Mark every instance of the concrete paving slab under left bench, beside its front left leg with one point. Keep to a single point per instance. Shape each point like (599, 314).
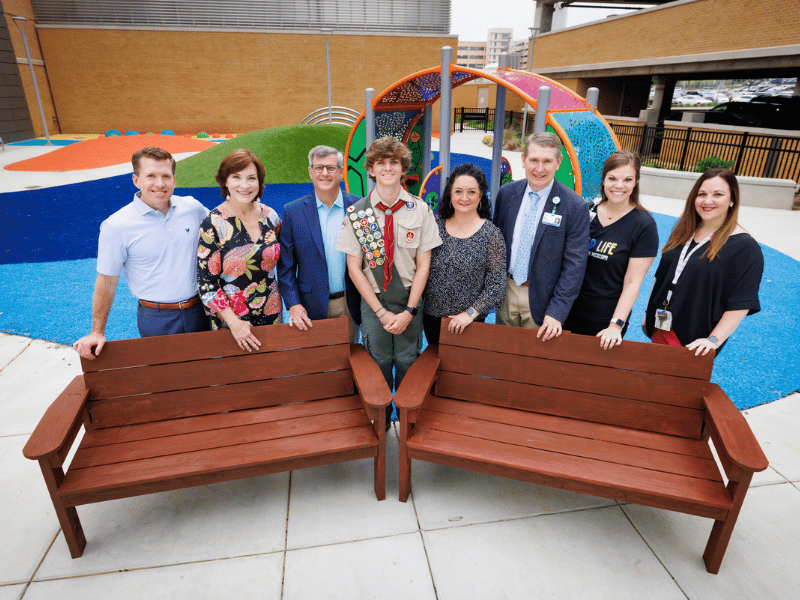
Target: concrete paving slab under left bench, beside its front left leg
(203, 523)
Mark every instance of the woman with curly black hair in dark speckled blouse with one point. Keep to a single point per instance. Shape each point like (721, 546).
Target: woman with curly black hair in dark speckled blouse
(468, 271)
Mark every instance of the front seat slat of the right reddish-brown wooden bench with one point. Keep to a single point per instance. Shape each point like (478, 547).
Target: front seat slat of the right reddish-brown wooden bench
(585, 475)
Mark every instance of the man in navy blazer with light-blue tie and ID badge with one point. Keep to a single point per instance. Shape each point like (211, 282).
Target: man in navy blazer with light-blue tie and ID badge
(546, 229)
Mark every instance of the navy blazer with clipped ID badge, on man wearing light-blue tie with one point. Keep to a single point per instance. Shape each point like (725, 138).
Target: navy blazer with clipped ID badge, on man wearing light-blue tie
(559, 254)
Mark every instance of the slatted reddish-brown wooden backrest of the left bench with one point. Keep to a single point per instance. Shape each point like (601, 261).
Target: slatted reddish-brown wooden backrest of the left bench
(168, 377)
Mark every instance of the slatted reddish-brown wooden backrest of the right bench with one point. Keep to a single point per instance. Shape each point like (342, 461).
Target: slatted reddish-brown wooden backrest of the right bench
(636, 385)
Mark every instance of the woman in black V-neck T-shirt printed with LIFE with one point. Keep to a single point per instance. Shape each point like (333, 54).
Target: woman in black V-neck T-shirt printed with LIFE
(623, 244)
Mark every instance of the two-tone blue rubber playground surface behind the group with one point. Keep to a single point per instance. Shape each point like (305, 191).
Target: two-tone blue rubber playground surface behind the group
(48, 263)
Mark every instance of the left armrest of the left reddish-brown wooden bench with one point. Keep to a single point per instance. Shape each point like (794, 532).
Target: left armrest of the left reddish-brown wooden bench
(60, 424)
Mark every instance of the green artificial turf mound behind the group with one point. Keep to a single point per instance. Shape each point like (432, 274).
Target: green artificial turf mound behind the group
(283, 150)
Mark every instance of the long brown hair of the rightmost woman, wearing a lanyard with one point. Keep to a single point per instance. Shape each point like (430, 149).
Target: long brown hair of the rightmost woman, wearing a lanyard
(686, 226)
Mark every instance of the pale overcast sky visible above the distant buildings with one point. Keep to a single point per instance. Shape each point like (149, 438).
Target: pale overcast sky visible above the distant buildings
(471, 19)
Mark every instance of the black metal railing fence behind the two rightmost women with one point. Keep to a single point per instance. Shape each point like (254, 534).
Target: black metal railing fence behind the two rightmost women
(681, 148)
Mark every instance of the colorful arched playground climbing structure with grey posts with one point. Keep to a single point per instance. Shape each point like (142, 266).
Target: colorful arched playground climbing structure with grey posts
(404, 111)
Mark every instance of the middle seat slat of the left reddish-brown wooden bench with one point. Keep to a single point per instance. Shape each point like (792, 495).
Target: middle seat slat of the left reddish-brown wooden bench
(217, 438)
